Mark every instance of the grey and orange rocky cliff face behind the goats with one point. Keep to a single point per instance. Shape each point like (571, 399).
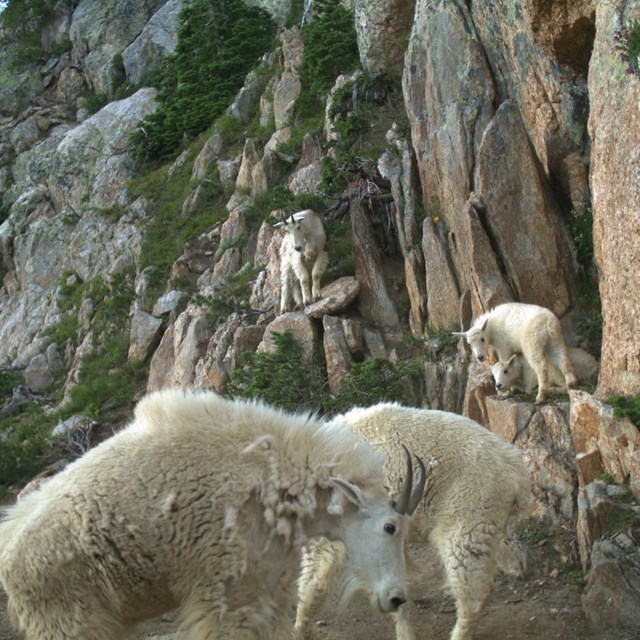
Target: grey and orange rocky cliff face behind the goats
(514, 119)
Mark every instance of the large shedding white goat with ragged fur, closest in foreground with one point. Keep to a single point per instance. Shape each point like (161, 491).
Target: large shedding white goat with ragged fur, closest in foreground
(201, 503)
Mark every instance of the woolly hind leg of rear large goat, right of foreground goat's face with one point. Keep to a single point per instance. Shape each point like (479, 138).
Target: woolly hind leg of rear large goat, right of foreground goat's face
(470, 567)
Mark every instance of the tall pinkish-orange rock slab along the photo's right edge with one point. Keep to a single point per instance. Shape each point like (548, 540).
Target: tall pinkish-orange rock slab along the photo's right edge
(615, 197)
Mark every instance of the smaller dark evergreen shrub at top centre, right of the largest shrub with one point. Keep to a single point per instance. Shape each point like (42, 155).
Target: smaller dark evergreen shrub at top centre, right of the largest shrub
(330, 45)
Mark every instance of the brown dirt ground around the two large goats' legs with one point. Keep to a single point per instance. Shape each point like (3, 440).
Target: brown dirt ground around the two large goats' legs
(544, 607)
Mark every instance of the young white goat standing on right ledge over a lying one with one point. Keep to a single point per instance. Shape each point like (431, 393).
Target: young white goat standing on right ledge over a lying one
(533, 331)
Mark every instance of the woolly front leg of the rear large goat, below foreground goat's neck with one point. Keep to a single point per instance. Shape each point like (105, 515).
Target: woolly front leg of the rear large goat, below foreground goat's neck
(321, 567)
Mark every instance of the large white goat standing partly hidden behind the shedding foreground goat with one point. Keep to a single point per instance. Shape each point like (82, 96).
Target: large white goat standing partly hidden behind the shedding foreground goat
(476, 485)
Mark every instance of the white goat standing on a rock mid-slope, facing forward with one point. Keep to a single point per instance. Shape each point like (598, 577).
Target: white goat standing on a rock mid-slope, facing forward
(303, 259)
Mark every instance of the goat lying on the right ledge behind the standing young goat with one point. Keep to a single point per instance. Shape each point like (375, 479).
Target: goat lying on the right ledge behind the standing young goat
(516, 373)
